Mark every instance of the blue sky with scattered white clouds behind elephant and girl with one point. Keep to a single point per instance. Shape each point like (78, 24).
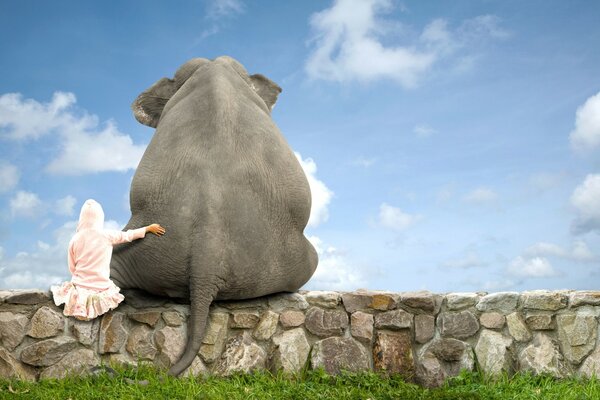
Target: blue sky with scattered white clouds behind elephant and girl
(450, 146)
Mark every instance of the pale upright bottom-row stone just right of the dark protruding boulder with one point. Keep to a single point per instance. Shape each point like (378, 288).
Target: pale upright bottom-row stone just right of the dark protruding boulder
(494, 352)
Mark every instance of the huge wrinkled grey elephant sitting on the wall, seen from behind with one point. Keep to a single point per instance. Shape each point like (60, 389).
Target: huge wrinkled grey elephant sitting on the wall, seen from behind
(222, 180)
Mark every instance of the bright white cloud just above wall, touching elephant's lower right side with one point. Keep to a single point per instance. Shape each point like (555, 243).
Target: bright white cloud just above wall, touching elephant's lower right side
(334, 271)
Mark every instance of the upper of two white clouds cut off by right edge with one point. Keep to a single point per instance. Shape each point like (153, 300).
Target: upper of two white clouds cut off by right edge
(586, 135)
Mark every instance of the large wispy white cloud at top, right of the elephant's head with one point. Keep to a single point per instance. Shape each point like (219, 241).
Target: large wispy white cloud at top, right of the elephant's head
(349, 41)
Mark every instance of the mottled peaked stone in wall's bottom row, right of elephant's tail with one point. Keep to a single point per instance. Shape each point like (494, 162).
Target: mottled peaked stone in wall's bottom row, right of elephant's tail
(241, 354)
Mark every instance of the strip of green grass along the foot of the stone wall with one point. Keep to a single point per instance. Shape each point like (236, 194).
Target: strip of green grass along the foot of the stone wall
(307, 385)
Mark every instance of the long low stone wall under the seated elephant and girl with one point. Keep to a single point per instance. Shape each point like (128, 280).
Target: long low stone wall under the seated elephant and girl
(424, 336)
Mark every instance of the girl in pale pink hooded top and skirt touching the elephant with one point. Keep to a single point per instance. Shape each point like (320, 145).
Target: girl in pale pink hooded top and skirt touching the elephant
(90, 292)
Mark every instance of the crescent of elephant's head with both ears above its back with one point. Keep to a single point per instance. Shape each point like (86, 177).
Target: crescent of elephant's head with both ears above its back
(149, 105)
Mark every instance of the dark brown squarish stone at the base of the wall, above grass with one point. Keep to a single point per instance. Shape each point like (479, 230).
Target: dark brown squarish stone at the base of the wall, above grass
(392, 353)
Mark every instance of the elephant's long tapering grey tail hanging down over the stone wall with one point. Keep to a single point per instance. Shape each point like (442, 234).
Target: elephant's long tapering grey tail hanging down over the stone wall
(203, 290)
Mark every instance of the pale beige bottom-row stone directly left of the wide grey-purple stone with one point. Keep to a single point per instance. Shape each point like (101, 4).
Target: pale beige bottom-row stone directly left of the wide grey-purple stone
(292, 350)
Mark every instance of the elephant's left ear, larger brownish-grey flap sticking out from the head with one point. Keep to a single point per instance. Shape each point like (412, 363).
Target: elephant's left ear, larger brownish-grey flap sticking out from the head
(148, 106)
